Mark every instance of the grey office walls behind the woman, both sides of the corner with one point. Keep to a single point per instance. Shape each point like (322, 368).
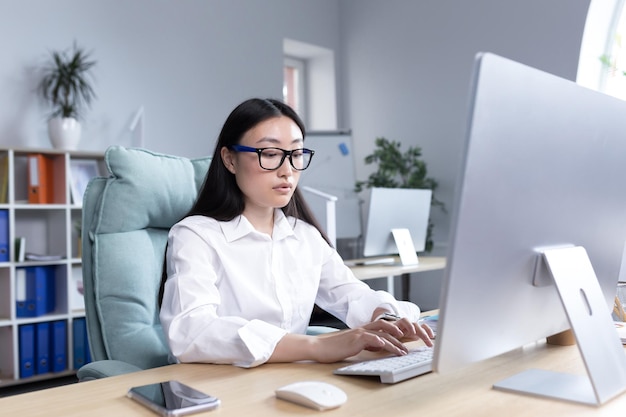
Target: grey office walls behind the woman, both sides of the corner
(402, 70)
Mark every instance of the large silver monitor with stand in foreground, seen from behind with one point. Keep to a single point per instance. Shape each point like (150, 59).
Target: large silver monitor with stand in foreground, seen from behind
(544, 177)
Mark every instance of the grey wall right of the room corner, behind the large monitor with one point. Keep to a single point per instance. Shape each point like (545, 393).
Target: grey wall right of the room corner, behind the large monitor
(406, 69)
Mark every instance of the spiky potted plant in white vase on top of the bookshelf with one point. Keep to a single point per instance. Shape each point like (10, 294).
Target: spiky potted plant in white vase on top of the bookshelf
(66, 86)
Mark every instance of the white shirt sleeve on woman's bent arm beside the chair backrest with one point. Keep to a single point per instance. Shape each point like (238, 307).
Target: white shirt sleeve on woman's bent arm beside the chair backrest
(191, 299)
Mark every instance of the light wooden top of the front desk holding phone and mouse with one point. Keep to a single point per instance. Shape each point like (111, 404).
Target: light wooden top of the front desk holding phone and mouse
(250, 392)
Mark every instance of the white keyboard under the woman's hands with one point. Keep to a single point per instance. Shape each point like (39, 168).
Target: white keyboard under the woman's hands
(394, 368)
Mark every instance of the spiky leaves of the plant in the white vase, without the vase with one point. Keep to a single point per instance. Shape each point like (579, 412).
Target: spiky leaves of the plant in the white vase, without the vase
(66, 82)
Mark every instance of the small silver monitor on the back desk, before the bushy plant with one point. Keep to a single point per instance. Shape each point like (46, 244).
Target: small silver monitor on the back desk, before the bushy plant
(393, 209)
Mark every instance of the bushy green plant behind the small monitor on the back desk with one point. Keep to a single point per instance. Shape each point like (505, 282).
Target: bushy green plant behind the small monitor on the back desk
(397, 169)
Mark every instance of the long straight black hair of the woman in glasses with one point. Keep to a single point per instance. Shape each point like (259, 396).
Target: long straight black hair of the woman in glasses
(220, 196)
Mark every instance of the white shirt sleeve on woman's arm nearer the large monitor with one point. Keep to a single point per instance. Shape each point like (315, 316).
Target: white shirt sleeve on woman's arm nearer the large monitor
(352, 300)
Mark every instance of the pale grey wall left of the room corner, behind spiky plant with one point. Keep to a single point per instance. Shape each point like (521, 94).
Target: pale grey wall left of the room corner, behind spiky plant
(188, 62)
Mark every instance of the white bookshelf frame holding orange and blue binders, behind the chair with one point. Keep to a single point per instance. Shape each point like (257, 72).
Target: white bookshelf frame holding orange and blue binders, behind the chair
(47, 229)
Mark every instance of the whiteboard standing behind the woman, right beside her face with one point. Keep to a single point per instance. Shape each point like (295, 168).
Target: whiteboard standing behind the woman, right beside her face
(332, 171)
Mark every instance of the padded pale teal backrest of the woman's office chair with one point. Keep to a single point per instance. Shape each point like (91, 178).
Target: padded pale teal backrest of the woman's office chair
(126, 219)
